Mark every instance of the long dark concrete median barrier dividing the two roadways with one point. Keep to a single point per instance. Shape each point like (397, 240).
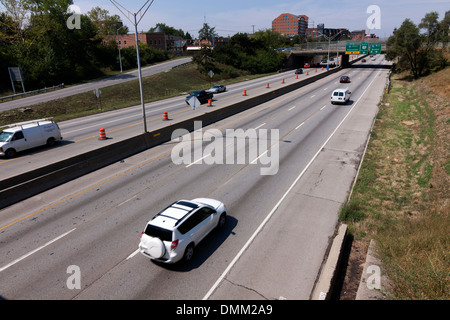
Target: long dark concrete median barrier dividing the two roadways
(28, 184)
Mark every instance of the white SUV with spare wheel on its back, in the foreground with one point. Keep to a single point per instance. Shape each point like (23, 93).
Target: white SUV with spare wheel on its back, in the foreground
(174, 232)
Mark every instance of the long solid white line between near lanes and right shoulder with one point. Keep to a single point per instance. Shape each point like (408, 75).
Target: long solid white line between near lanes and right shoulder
(247, 244)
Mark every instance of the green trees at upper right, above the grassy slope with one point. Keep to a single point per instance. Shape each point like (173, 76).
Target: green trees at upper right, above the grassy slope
(420, 48)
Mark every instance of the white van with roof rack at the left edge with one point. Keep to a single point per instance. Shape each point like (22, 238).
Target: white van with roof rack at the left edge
(26, 135)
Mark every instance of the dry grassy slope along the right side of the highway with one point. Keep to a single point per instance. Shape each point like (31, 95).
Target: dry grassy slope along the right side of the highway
(401, 197)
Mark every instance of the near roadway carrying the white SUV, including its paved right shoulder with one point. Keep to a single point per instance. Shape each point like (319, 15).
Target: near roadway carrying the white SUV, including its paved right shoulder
(278, 228)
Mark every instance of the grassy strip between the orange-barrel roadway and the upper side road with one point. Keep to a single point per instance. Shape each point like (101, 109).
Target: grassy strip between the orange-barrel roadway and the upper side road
(178, 81)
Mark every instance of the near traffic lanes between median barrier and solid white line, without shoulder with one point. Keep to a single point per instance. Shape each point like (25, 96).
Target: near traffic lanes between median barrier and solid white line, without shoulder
(94, 222)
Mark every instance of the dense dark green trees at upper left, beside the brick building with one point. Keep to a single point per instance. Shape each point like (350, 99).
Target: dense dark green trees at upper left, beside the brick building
(34, 35)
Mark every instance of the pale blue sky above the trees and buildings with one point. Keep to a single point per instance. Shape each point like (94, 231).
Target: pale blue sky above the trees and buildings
(232, 16)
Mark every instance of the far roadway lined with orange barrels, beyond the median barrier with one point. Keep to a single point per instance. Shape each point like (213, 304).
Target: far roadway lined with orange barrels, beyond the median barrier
(81, 135)
